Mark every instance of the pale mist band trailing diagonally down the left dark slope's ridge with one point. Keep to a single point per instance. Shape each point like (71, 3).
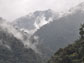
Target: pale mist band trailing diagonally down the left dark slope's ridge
(7, 27)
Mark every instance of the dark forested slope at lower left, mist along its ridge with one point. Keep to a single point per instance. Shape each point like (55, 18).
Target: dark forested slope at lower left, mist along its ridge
(13, 50)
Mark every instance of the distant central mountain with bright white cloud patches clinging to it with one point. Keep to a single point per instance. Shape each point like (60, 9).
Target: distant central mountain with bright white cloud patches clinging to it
(34, 21)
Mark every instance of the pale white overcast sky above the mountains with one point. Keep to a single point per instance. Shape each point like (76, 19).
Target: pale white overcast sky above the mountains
(12, 9)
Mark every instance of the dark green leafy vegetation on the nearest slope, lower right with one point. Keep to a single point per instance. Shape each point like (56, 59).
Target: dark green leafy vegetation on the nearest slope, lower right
(73, 53)
